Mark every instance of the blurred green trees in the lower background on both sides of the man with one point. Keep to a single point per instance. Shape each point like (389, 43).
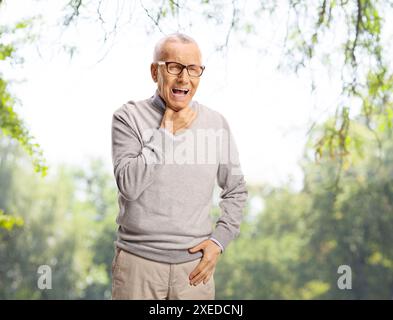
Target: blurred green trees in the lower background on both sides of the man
(290, 248)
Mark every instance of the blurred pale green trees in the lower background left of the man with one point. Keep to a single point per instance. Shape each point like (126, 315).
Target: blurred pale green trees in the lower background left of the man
(69, 224)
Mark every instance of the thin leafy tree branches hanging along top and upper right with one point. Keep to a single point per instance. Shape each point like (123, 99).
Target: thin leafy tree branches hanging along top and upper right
(350, 36)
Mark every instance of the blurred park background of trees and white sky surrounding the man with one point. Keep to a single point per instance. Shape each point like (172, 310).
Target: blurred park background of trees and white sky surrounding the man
(306, 87)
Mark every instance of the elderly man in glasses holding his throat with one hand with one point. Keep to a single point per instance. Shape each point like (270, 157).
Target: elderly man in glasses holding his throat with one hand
(167, 247)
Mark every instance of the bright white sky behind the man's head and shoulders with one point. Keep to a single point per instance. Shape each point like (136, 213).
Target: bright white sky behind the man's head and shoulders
(68, 104)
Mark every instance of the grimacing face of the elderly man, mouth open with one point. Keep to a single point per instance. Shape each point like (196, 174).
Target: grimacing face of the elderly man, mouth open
(186, 54)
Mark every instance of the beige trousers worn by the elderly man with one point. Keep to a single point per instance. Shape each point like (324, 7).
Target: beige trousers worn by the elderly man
(134, 277)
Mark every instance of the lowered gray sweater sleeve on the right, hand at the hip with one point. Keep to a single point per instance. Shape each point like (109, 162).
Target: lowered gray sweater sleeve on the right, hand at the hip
(234, 192)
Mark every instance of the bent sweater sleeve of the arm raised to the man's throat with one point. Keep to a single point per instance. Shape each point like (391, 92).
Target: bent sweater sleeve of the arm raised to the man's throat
(135, 162)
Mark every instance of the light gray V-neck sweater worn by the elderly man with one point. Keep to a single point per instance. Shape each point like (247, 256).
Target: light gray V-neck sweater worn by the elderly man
(165, 182)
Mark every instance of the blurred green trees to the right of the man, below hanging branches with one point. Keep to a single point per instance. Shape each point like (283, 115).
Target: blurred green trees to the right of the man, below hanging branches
(292, 249)
